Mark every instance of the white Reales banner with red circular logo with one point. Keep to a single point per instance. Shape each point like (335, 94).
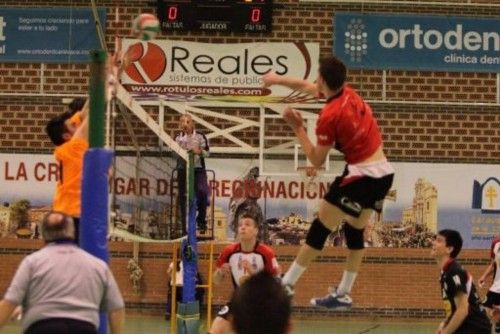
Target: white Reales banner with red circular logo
(225, 72)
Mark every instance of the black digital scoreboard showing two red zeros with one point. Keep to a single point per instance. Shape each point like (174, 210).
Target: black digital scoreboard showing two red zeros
(250, 16)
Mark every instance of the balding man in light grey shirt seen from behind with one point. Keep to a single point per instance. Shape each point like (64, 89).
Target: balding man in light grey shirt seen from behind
(62, 288)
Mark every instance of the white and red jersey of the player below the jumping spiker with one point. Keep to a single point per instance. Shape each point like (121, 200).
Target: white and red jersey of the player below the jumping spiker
(261, 258)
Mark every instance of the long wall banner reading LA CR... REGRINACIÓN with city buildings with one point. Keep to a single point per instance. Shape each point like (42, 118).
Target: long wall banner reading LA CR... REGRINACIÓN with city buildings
(425, 198)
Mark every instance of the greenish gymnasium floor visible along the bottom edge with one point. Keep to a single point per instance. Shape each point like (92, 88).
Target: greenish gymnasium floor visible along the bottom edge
(158, 325)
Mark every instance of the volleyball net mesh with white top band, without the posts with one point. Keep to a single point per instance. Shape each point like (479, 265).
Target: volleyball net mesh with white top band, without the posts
(146, 193)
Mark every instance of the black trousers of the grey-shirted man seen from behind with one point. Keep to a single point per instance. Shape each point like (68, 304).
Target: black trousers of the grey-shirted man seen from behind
(61, 326)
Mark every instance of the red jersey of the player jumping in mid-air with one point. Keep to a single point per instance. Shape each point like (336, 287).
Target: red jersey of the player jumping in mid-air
(347, 120)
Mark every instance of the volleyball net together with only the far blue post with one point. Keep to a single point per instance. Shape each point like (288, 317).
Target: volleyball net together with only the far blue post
(150, 170)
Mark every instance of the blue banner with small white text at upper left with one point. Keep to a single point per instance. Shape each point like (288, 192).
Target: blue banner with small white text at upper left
(48, 35)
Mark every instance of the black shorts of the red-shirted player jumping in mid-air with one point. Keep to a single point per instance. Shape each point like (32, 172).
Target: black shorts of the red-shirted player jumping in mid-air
(362, 193)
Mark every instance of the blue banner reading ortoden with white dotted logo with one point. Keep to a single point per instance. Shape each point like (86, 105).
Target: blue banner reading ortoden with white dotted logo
(410, 42)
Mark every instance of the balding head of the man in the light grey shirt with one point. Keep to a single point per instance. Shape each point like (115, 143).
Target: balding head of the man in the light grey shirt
(57, 226)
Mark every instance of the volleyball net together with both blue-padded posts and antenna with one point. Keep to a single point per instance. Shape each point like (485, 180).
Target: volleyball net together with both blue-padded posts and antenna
(144, 197)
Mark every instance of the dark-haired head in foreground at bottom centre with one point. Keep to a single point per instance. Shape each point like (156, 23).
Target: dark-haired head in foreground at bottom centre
(261, 305)
